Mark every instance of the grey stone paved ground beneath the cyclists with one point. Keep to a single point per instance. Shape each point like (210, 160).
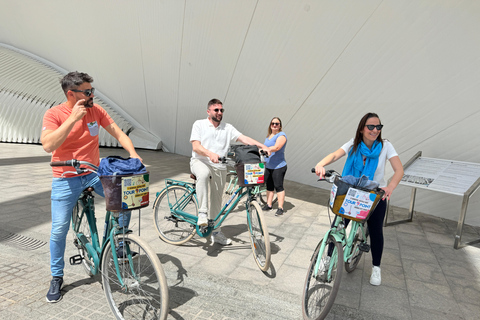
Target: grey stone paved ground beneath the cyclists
(423, 277)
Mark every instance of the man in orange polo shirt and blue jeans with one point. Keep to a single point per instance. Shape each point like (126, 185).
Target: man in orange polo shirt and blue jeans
(70, 131)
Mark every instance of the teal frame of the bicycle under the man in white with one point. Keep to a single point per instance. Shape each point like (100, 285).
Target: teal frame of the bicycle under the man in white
(177, 207)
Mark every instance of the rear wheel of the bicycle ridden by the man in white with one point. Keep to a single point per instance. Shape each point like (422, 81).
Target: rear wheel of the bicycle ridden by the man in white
(170, 228)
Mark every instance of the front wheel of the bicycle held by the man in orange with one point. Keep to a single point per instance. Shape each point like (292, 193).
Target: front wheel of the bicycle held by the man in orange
(144, 294)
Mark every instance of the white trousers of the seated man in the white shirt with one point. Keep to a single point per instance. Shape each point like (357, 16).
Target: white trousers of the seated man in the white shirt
(217, 178)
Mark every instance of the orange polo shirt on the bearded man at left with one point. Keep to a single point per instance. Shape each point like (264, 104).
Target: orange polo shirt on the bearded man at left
(82, 141)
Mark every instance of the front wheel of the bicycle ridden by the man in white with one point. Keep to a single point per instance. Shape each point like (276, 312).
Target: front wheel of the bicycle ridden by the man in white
(259, 238)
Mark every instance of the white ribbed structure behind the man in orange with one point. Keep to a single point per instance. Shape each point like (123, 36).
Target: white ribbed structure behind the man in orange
(28, 87)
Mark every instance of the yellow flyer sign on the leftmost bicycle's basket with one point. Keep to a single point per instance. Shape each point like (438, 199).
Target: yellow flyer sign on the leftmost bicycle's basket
(135, 191)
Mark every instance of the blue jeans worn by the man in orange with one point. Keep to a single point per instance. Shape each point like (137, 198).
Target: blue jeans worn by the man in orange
(65, 193)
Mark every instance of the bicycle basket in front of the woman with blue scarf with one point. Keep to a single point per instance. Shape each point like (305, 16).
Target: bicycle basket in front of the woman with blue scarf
(354, 203)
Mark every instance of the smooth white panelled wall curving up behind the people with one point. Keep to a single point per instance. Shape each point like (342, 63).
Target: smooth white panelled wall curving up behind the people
(318, 65)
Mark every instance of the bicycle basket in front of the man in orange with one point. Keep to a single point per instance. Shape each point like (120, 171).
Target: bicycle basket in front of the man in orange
(126, 192)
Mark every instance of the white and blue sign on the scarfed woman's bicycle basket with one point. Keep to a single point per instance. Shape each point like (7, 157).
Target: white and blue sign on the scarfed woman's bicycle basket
(357, 203)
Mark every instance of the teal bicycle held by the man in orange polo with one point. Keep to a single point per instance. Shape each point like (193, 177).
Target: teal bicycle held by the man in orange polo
(134, 284)
